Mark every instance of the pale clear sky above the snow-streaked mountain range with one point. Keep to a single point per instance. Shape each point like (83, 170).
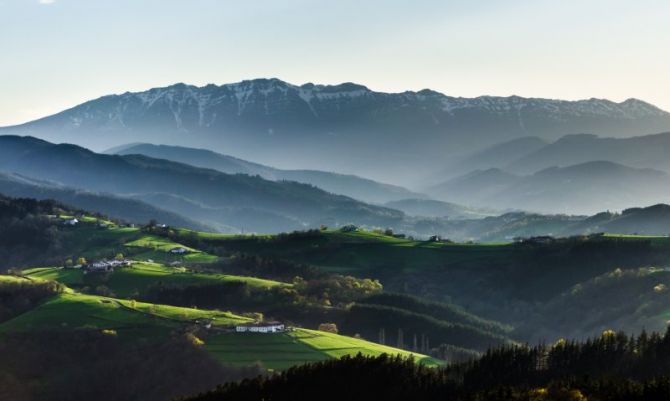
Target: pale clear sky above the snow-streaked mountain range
(55, 54)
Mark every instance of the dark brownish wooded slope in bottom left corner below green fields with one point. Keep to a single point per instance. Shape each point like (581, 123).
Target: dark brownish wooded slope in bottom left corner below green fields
(93, 365)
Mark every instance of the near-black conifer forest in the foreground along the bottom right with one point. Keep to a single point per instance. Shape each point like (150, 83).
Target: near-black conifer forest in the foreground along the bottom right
(612, 367)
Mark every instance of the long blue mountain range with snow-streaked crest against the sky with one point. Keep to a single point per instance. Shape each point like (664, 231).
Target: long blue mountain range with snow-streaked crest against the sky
(392, 137)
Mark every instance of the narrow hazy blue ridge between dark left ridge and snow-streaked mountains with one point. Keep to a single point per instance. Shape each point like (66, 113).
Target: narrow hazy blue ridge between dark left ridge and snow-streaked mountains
(349, 185)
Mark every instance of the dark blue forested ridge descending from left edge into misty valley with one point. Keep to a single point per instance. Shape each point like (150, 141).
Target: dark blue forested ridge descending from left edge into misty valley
(240, 201)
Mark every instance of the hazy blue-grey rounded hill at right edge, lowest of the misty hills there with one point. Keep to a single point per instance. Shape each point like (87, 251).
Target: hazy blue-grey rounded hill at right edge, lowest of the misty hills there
(585, 188)
